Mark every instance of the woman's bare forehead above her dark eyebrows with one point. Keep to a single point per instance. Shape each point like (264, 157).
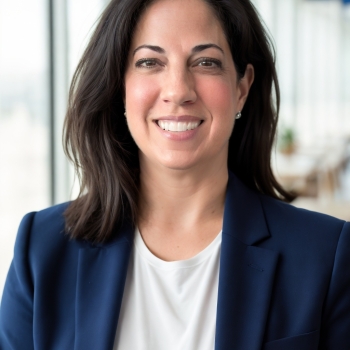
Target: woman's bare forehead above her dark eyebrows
(178, 22)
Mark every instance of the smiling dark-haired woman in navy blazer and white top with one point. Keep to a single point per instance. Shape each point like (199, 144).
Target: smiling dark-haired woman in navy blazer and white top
(179, 239)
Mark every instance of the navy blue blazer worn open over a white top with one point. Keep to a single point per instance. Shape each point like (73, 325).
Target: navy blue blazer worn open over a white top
(284, 281)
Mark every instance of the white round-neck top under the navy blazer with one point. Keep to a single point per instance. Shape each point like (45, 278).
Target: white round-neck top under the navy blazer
(169, 305)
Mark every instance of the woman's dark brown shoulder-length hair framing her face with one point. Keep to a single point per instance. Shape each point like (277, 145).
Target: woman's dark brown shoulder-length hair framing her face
(98, 142)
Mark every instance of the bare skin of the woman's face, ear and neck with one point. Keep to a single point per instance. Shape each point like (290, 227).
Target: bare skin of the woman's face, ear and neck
(180, 67)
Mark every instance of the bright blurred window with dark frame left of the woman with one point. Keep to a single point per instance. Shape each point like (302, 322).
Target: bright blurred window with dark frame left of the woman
(34, 172)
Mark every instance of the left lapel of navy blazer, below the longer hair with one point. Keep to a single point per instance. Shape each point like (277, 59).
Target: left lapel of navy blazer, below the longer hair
(100, 284)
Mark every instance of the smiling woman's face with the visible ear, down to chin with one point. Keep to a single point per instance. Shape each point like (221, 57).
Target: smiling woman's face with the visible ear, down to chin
(181, 87)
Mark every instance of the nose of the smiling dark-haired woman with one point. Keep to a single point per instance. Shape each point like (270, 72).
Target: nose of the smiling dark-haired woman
(178, 87)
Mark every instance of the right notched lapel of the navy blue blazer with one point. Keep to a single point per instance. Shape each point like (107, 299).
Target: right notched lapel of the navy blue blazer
(246, 272)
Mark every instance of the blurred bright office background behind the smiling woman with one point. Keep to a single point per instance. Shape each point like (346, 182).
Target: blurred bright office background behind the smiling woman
(40, 45)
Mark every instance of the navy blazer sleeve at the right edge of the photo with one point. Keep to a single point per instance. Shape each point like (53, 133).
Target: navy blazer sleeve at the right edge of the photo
(335, 329)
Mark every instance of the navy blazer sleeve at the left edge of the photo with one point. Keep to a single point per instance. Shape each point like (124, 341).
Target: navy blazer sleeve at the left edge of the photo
(16, 309)
